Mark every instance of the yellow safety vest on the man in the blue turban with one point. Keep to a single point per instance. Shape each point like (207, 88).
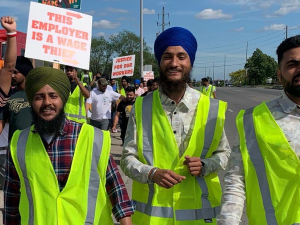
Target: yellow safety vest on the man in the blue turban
(197, 199)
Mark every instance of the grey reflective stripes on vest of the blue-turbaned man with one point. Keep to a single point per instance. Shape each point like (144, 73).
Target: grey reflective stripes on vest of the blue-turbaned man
(166, 212)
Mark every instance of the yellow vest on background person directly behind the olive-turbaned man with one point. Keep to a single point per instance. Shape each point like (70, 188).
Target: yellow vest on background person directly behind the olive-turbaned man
(75, 106)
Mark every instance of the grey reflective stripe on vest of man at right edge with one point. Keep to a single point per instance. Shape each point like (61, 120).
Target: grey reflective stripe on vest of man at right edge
(259, 165)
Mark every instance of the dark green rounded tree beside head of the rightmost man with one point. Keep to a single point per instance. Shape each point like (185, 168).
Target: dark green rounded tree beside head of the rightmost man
(260, 66)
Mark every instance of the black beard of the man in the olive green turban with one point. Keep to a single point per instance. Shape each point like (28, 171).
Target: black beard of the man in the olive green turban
(44, 127)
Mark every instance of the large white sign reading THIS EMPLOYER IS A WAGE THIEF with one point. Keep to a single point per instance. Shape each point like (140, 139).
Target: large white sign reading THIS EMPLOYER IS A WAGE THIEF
(58, 35)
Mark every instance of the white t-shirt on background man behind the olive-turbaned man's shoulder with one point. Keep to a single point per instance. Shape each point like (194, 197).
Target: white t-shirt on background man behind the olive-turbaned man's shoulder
(101, 103)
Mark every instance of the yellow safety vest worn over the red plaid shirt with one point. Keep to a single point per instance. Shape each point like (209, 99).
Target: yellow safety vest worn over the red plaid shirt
(83, 200)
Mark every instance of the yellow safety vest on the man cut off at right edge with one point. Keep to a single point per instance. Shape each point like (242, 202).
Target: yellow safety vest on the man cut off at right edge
(271, 169)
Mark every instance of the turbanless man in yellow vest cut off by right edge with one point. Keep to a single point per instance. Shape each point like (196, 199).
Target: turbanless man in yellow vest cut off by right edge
(264, 165)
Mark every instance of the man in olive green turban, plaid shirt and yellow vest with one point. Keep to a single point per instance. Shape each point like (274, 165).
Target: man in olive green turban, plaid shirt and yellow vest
(67, 170)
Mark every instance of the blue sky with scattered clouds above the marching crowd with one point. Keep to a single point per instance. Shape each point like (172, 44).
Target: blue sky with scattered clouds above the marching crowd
(221, 27)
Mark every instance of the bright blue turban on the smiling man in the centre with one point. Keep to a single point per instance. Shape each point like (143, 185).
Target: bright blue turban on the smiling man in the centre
(175, 36)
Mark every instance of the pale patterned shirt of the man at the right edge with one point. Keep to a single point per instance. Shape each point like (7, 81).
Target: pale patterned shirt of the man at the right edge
(287, 115)
